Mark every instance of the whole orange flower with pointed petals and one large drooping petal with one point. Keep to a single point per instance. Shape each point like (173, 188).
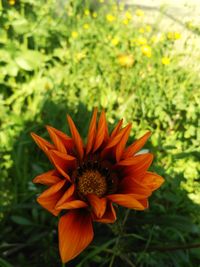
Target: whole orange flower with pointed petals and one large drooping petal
(87, 179)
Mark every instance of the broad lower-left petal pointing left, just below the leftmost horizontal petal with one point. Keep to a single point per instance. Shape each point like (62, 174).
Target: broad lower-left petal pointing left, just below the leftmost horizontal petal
(49, 198)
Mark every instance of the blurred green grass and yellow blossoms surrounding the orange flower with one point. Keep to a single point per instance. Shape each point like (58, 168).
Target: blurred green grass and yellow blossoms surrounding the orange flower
(139, 60)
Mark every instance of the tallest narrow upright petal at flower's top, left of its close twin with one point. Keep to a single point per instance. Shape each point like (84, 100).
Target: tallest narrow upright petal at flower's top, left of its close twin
(91, 132)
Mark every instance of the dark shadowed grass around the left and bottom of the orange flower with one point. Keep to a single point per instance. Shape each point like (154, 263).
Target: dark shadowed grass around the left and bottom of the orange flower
(30, 233)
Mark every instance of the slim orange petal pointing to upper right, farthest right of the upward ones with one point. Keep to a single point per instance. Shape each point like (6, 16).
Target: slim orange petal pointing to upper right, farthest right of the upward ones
(136, 146)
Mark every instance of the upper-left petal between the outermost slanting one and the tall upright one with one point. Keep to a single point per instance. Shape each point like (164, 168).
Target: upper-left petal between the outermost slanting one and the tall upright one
(65, 139)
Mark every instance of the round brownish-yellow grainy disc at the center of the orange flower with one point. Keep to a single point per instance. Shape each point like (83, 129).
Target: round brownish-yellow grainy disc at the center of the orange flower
(92, 182)
